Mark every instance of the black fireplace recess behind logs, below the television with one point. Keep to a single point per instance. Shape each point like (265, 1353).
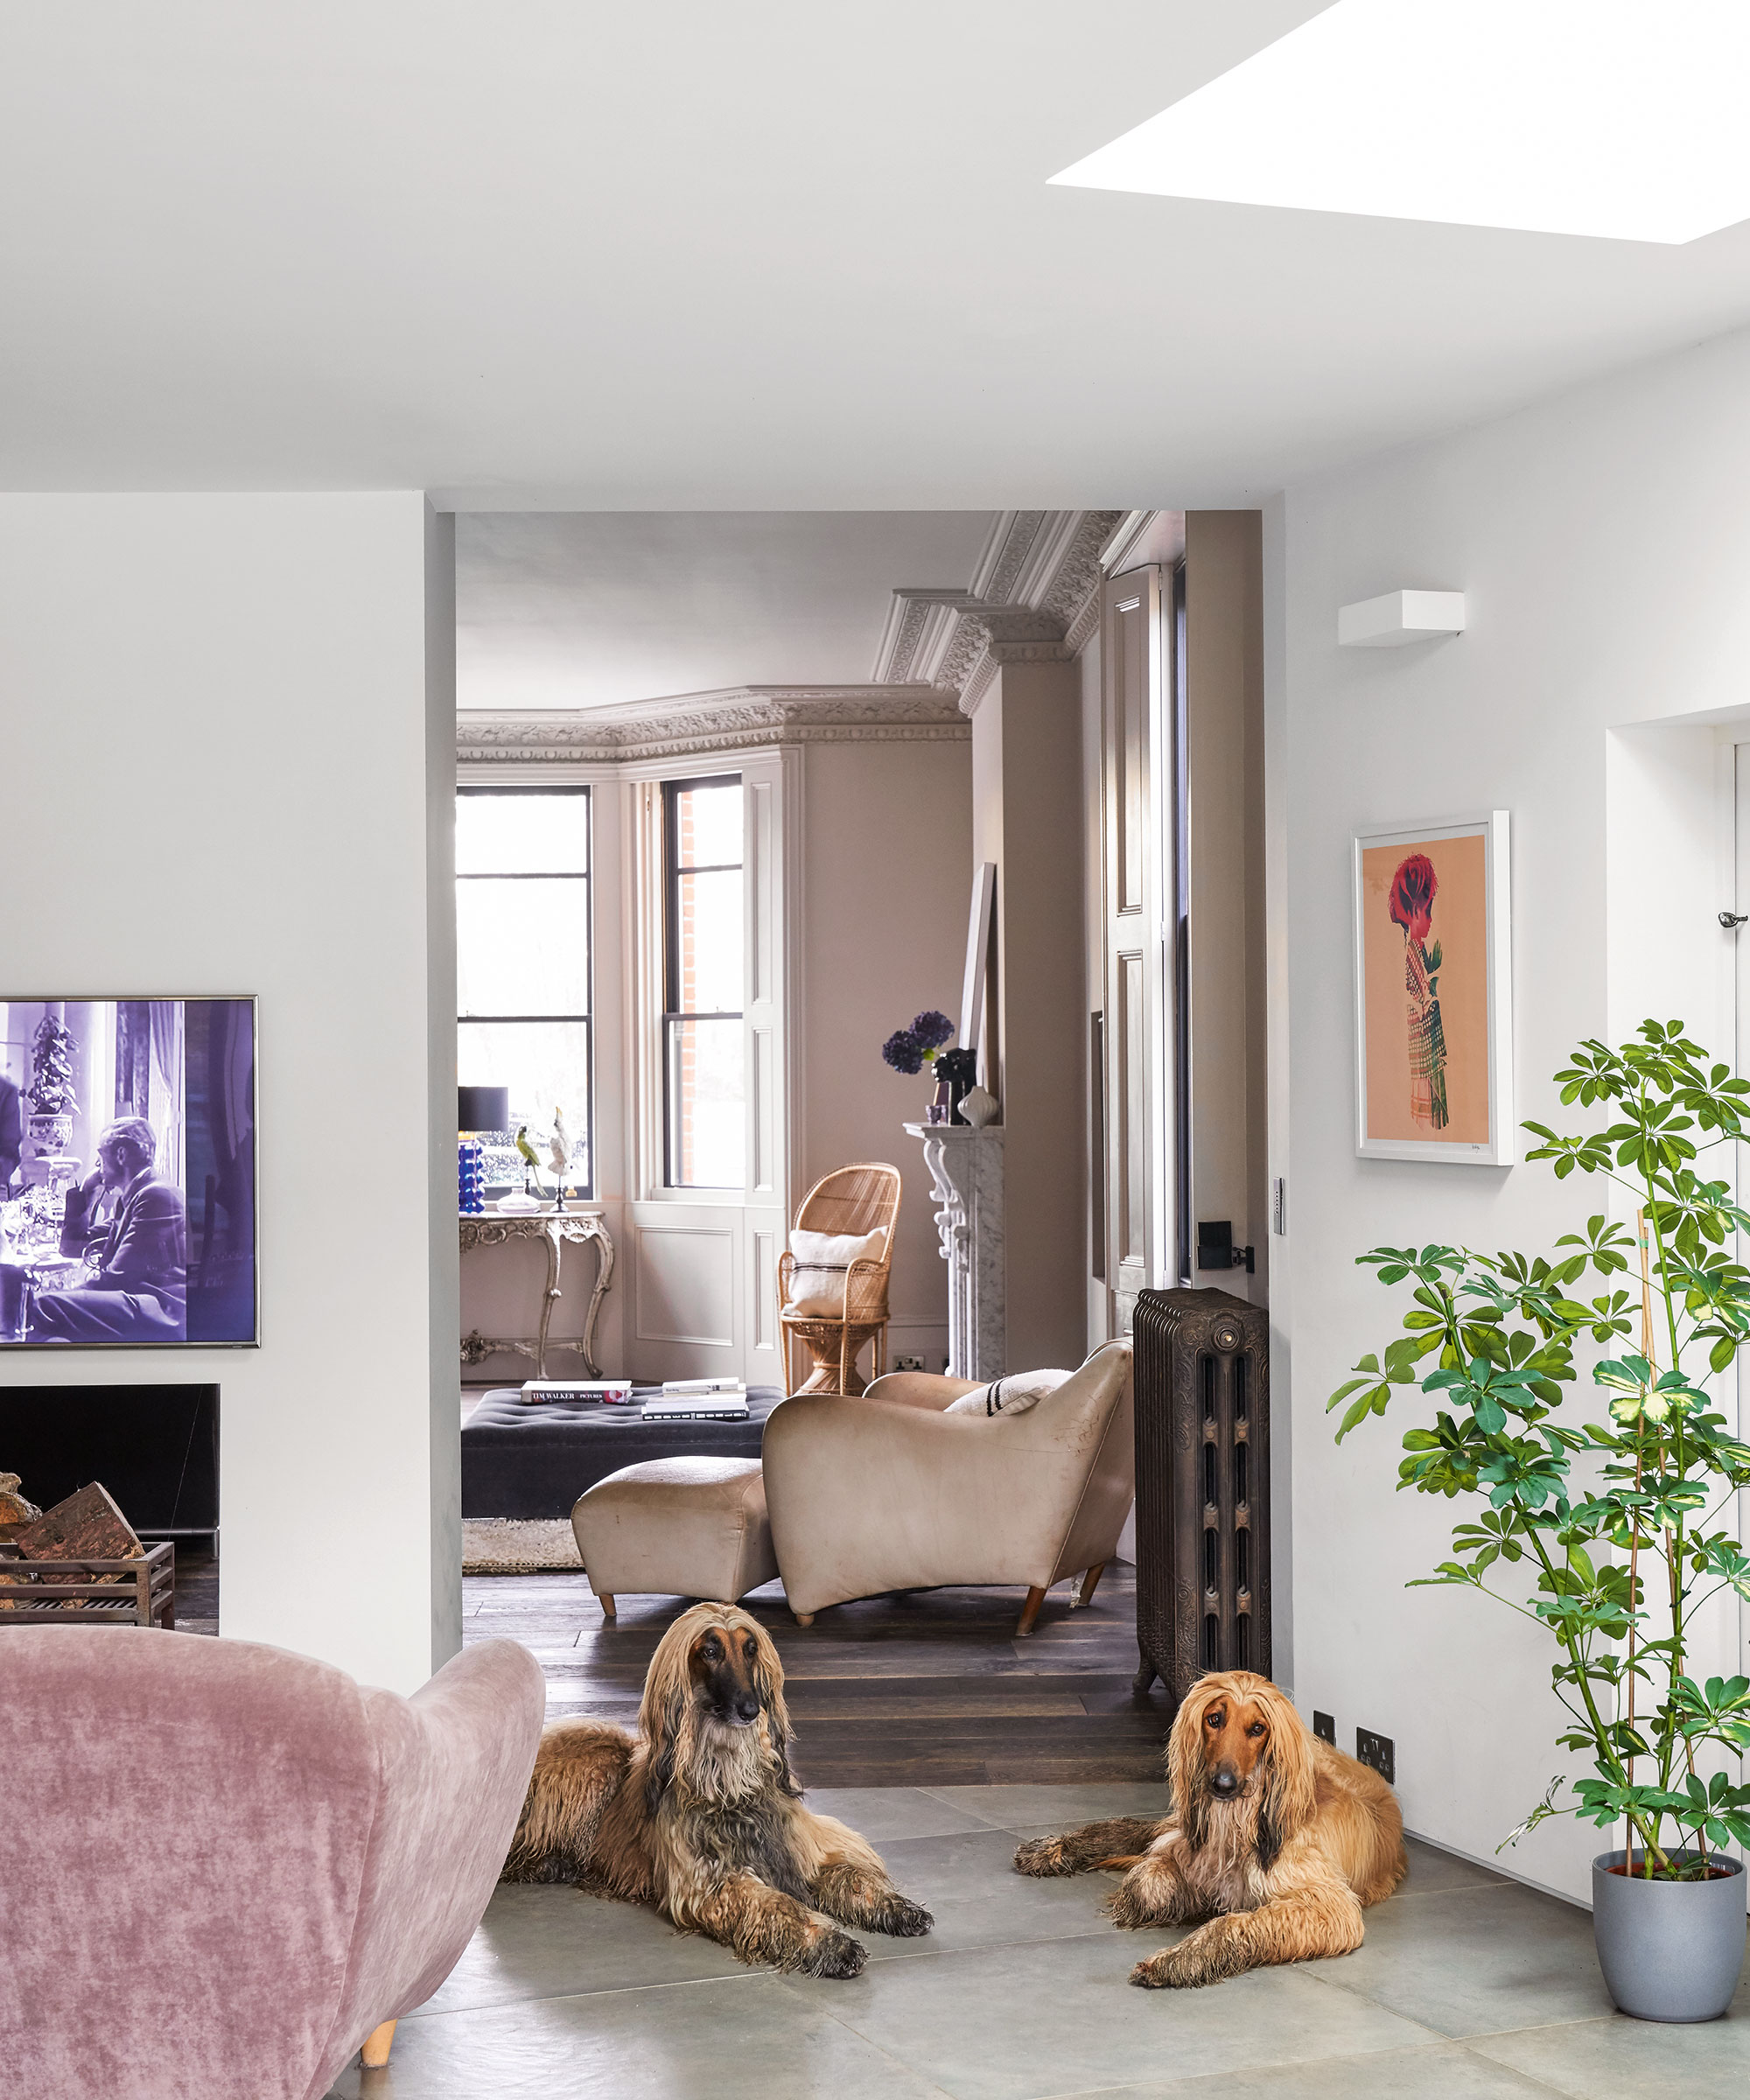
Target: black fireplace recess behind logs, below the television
(152, 1448)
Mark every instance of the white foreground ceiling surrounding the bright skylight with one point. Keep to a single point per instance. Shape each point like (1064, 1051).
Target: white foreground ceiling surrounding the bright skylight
(791, 255)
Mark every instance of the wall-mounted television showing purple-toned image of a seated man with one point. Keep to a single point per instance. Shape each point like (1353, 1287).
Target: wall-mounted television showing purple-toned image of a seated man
(127, 1173)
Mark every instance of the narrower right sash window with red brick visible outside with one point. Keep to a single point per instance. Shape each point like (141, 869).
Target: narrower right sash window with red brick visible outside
(705, 1083)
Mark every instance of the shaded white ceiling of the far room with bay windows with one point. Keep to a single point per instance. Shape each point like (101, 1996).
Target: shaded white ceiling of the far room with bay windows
(585, 610)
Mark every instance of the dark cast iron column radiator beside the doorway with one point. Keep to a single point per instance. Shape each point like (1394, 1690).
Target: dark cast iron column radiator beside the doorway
(1203, 1488)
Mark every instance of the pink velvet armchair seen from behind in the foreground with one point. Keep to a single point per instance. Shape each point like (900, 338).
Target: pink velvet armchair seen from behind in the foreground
(226, 1868)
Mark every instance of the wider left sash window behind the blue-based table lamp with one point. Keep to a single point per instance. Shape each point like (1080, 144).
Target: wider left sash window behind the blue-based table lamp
(524, 967)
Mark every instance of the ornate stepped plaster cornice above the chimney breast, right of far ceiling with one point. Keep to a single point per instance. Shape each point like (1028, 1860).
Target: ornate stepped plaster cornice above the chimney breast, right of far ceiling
(1035, 597)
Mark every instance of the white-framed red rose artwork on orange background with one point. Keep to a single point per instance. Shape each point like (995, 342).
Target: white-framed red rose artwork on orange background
(1434, 992)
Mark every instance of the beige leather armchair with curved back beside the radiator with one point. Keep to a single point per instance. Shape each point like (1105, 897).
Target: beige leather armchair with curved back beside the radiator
(886, 1492)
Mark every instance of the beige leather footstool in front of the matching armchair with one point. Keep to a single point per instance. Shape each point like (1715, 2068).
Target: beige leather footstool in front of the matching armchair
(678, 1528)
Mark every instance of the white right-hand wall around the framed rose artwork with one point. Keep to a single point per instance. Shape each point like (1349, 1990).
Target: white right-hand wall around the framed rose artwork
(1602, 541)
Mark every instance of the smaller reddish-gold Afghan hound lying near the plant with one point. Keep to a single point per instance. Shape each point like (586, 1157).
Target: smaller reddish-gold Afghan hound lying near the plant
(1276, 1839)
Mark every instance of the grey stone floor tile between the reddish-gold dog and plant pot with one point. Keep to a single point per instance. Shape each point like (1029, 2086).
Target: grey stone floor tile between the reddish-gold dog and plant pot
(1476, 1960)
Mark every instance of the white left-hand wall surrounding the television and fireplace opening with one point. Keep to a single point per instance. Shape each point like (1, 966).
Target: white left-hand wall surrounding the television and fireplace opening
(230, 768)
